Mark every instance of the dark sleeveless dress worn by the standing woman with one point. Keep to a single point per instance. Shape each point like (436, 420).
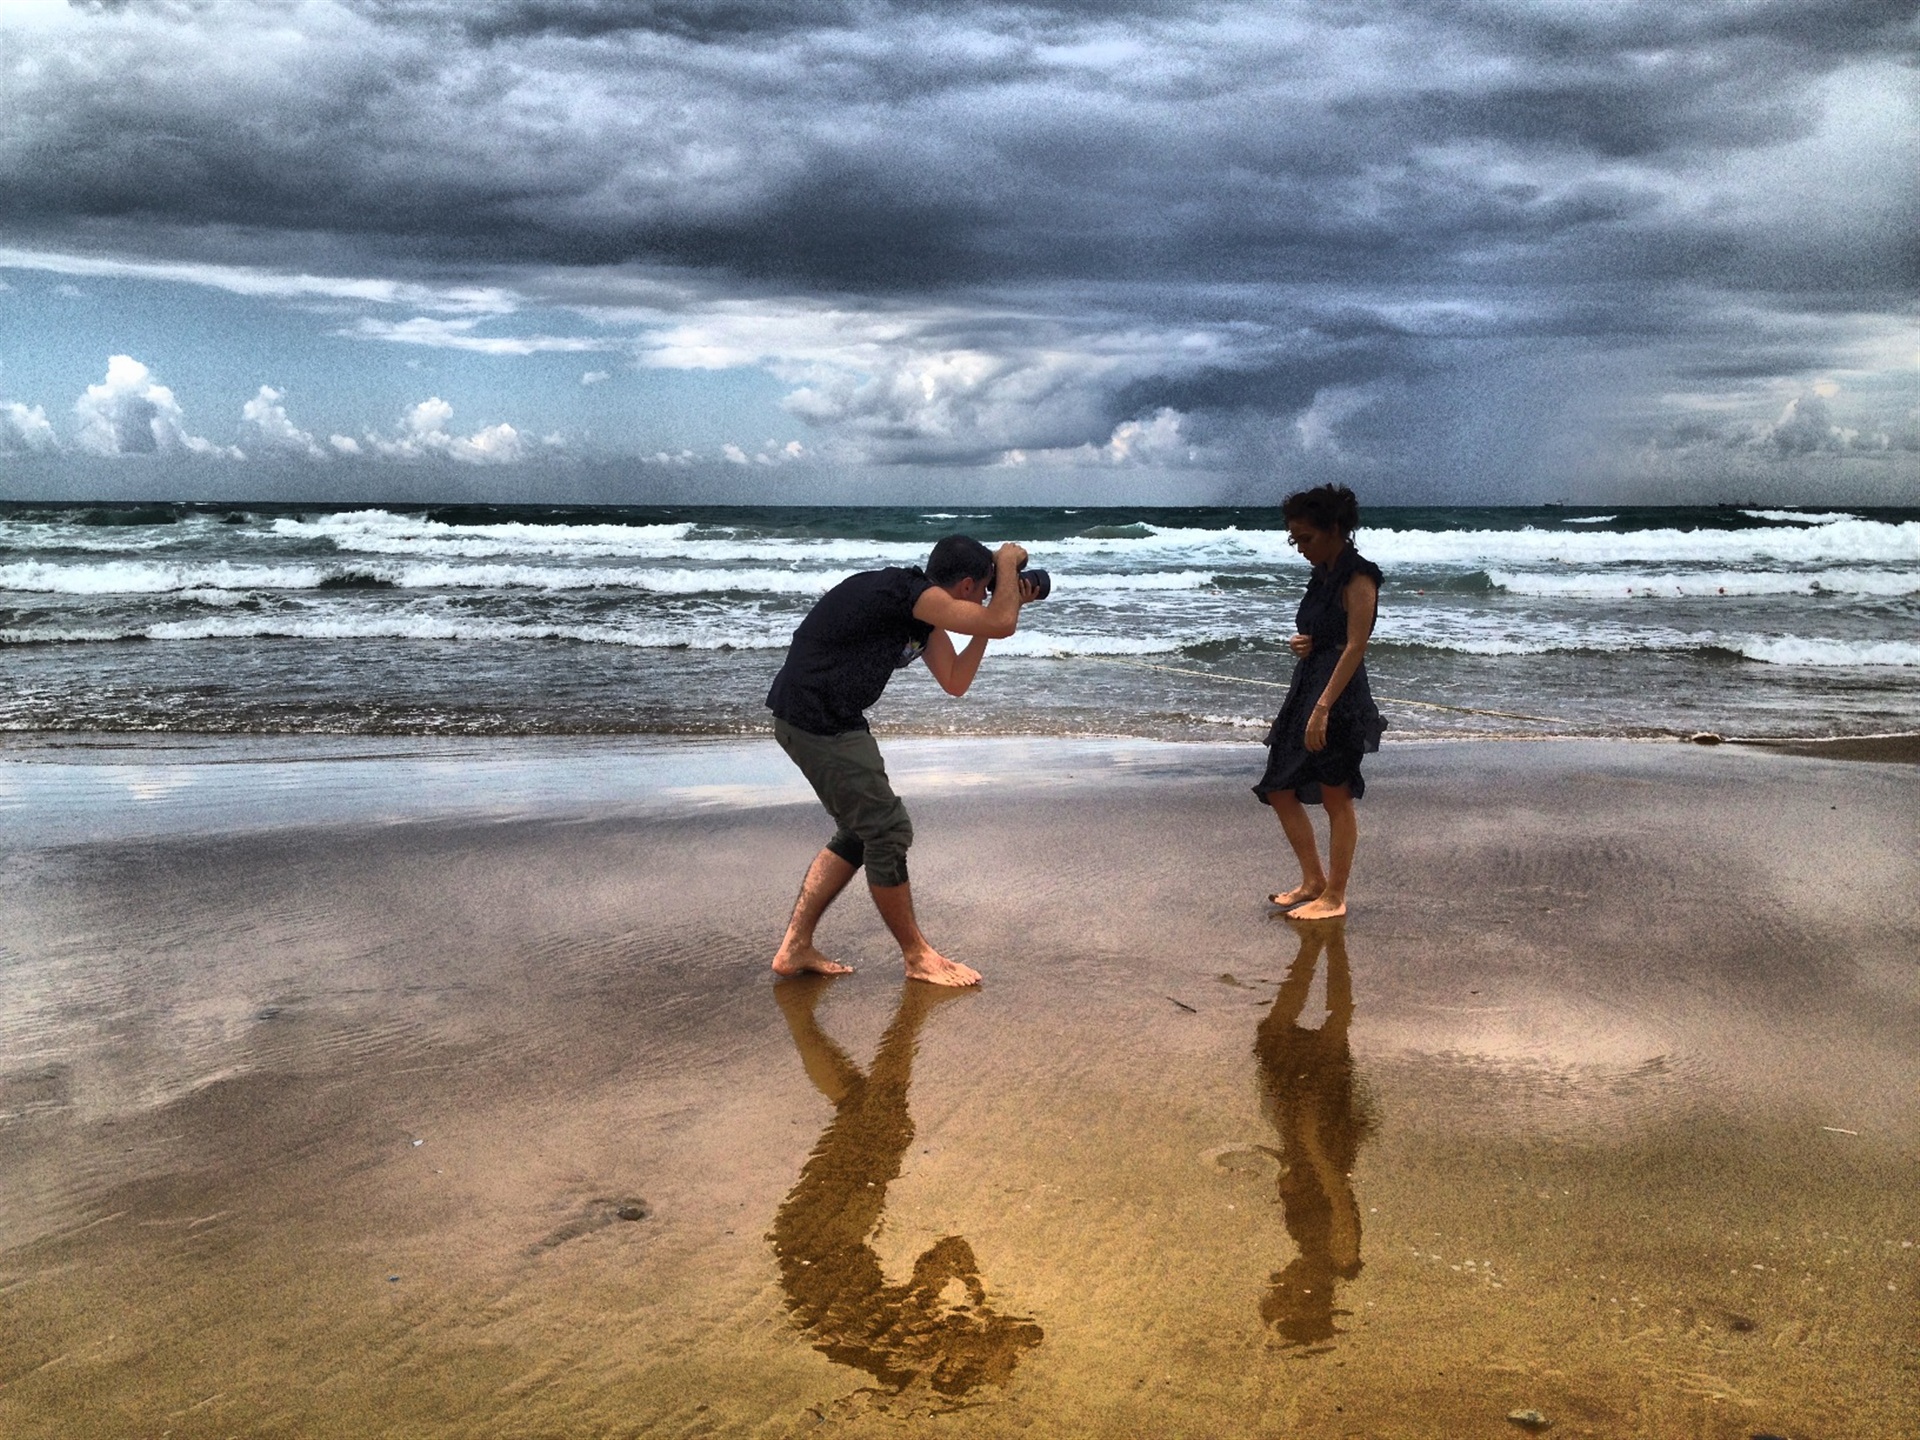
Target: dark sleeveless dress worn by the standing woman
(1355, 725)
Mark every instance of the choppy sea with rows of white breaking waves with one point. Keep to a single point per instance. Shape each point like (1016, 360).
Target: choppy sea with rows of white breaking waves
(1163, 623)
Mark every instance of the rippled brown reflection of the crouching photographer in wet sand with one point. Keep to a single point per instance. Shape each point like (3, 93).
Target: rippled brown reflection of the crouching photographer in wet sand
(936, 1328)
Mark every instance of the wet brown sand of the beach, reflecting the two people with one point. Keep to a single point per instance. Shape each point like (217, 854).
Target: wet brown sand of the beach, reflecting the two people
(414, 1120)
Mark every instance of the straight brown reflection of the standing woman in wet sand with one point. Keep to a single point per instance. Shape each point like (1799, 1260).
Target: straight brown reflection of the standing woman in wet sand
(1307, 1078)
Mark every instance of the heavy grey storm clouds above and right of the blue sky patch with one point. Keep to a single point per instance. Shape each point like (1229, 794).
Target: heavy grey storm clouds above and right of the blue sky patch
(963, 235)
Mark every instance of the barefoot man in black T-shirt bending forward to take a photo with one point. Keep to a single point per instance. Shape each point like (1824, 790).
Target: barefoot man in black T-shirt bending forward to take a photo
(842, 658)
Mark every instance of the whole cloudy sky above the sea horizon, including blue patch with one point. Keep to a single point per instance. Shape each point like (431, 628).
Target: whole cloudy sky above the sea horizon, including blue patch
(1445, 251)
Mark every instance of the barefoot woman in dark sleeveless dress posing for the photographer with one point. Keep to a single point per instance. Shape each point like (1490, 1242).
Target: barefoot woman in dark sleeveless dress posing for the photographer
(1328, 719)
